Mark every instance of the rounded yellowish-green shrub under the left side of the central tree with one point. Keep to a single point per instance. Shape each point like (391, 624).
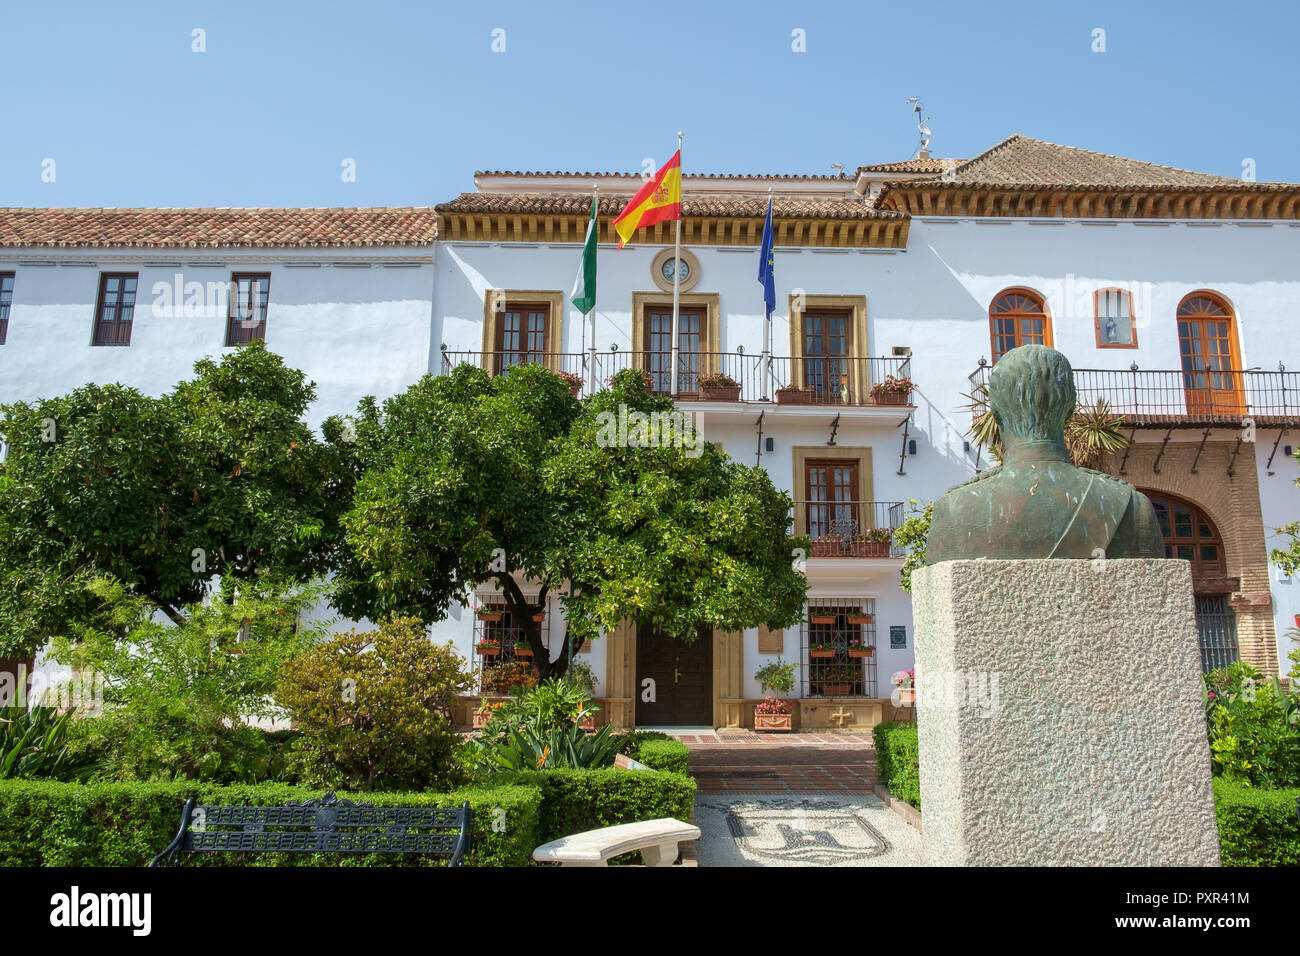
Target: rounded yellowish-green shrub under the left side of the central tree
(375, 710)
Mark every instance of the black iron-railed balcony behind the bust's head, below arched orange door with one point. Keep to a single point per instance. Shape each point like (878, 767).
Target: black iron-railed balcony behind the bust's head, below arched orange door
(1186, 400)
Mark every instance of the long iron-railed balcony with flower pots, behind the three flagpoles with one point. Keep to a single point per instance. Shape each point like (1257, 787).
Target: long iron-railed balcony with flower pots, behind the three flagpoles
(843, 382)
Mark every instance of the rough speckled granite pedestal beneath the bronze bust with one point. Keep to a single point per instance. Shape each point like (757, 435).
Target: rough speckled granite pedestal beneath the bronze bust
(1060, 715)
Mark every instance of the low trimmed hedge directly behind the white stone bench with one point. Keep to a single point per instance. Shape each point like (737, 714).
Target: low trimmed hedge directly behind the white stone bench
(579, 801)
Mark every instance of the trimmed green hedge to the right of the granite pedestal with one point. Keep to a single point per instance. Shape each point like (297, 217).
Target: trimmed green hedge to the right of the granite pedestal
(1258, 828)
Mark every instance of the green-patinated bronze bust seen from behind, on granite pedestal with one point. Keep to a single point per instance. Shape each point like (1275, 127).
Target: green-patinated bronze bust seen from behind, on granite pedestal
(1037, 504)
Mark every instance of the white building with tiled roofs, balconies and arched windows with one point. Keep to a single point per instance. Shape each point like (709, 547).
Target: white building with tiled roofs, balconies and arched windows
(1169, 292)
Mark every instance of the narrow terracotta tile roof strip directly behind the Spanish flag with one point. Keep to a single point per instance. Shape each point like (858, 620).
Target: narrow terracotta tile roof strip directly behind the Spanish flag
(733, 207)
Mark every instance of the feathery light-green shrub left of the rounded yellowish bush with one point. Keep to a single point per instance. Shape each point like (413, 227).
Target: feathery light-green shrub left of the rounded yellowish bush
(179, 698)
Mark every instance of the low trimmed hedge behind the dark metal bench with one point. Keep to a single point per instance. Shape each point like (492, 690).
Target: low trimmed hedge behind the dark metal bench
(49, 824)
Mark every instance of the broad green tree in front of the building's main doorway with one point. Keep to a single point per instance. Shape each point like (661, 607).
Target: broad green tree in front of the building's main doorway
(469, 479)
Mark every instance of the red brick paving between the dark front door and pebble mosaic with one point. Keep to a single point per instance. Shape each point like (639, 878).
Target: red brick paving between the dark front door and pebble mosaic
(748, 763)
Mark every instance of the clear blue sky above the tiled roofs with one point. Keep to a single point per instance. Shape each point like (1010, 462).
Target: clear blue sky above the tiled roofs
(415, 94)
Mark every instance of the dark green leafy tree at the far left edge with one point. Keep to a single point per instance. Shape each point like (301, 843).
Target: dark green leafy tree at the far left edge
(220, 477)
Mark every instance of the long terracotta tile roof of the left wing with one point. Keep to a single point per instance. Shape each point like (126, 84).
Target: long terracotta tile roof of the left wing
(201, 228)
